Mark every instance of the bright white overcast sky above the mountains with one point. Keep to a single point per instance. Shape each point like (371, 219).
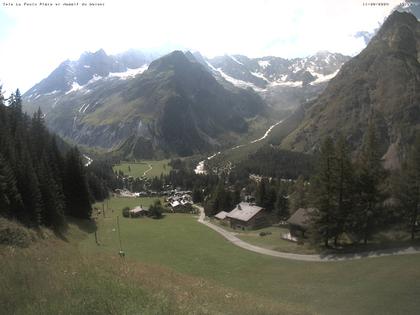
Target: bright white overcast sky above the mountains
(34, 40)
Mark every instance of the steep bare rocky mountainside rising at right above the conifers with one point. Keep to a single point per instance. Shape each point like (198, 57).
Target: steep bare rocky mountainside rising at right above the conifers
(381, 83)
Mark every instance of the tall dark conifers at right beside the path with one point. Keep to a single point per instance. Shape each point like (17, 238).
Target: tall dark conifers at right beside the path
(358, 197)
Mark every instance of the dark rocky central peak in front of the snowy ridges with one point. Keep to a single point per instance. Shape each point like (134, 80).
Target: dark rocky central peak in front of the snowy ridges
(174, 107)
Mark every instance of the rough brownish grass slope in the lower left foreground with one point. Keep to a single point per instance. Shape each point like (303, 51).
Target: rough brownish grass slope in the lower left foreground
(53, 276)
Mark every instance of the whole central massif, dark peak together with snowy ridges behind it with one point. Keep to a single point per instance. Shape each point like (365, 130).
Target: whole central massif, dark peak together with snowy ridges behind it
(180, 104)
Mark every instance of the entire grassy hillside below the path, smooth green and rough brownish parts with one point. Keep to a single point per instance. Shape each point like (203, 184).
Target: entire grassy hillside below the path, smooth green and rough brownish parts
(176, 265)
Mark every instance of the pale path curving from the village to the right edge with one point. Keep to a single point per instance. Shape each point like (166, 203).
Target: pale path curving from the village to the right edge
(316, 258)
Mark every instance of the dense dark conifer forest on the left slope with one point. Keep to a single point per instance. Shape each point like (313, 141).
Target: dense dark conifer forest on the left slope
(39, 183)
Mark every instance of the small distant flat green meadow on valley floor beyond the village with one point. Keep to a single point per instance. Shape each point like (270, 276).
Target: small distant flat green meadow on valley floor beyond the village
(138, 168)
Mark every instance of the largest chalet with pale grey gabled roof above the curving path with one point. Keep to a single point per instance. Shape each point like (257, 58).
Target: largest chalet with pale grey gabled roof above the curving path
(247, 216)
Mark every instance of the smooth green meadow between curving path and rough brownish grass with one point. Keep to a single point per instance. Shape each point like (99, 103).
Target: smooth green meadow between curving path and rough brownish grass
(386, 285)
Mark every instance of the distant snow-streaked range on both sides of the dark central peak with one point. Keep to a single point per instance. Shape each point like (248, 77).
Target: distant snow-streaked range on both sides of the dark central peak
(283, 83)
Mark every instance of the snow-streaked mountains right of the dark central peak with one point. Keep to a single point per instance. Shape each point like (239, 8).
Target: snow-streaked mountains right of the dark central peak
(283, 83)
